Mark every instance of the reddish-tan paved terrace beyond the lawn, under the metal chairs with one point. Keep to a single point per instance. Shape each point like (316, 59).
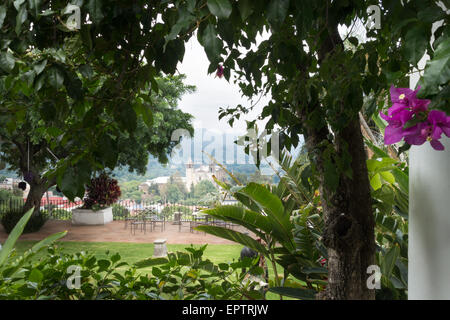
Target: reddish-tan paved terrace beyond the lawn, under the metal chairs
(116, 232)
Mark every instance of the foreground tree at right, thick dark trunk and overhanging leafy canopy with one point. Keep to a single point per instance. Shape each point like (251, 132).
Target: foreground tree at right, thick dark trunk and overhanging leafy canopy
(317, 87)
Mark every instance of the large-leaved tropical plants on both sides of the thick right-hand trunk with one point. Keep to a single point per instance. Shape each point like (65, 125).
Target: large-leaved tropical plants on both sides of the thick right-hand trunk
(289, 220)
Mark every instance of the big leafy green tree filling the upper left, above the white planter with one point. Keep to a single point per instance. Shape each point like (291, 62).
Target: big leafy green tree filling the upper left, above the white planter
(75, 101)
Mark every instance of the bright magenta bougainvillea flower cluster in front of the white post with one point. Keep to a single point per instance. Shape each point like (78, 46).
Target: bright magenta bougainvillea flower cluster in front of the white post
(410, 119)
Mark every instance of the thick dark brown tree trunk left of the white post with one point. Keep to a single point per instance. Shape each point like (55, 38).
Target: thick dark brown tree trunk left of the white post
(349, 222)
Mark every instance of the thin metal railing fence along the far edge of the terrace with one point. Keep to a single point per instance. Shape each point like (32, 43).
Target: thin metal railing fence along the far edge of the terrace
(60, 209)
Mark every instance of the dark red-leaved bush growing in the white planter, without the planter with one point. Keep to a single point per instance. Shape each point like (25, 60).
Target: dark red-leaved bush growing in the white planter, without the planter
(102, 192)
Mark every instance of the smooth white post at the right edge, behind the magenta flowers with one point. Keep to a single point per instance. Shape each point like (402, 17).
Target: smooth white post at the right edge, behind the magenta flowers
(429, 218)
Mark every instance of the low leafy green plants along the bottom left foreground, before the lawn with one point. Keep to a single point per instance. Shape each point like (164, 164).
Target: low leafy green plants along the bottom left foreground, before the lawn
(182, 275)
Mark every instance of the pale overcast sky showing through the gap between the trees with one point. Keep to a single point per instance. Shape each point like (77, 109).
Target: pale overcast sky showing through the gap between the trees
(213, 93)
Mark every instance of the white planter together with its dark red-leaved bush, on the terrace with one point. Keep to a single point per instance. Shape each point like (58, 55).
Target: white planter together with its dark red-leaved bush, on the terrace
(97, 209)
